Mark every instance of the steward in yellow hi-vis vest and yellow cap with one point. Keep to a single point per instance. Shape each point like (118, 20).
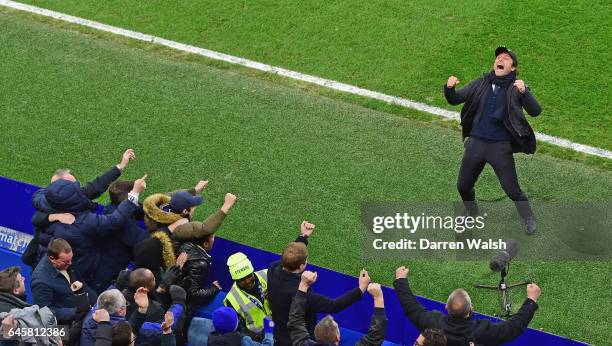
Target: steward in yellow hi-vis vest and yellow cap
(249, 295)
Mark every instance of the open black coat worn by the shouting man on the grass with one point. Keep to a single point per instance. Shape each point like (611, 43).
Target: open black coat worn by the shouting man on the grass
(474, 95)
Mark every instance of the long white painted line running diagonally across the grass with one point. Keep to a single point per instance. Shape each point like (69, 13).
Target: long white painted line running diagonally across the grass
(331, 84)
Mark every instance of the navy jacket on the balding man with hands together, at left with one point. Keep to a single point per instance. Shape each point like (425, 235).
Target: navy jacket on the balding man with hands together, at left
(50, 288)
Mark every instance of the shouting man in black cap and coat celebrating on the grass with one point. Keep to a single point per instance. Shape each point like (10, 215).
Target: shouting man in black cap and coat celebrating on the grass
(492, 117)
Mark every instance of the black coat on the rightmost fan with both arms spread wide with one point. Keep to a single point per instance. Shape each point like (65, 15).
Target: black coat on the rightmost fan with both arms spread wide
(459, 330)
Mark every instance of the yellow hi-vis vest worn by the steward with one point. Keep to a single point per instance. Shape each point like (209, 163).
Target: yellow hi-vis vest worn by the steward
(253, 314)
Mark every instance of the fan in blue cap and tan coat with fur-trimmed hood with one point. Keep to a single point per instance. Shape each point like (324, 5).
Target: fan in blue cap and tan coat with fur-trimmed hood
(157, 252)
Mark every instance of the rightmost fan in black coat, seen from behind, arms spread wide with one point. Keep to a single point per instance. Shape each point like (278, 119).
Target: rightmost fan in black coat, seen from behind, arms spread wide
(459, 326)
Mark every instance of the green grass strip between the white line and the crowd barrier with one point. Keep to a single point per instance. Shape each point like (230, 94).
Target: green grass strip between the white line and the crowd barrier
(75, 98)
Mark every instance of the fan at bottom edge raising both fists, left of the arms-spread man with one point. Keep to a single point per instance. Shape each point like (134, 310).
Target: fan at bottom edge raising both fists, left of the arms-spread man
(327, 331)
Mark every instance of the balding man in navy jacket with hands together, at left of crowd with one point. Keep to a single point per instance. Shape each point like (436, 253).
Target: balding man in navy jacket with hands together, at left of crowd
(55, 282)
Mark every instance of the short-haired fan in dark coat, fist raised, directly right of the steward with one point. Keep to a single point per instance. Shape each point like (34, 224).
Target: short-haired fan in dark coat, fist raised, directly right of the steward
(284, 277)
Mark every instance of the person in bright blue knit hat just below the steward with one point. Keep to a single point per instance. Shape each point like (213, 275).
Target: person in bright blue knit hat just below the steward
(226, 331)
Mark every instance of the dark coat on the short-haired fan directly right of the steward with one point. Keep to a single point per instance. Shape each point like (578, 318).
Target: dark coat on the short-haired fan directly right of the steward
(282, 287)
